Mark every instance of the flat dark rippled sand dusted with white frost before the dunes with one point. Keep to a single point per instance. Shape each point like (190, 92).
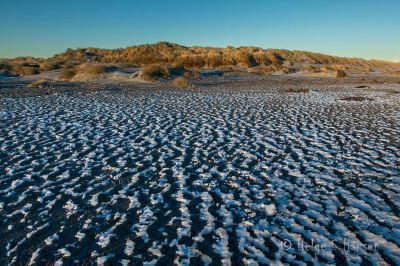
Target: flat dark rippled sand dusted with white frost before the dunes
(229, 171)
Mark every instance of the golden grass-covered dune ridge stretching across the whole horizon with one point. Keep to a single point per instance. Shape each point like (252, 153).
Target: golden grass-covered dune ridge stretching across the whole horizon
(251, 59)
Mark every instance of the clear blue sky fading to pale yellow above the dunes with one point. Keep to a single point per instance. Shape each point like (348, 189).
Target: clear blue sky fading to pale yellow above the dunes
(354, 28)
